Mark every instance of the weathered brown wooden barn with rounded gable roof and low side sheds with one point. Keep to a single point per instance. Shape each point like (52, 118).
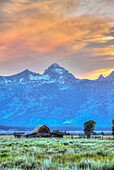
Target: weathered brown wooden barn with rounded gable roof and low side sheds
(41, 131)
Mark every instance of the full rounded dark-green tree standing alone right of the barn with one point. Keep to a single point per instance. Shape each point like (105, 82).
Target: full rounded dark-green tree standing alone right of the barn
(89, 127)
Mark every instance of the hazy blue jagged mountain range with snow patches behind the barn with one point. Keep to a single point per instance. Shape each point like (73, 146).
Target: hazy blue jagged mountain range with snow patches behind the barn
(55, 98)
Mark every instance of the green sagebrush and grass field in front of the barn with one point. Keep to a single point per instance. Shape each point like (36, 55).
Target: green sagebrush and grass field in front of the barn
(56, 154)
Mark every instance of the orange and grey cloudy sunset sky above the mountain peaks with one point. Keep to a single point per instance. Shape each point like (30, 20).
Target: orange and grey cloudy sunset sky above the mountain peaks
(76, 34)
